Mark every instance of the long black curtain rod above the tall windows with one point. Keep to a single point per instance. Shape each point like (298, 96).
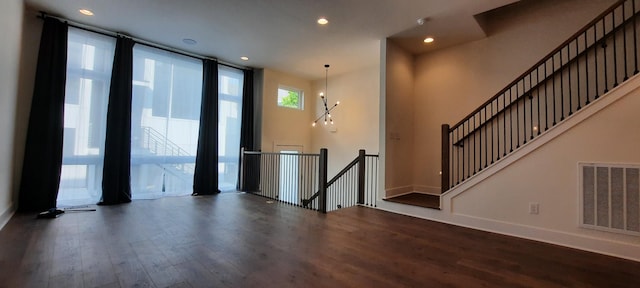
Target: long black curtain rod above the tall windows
(110, 33)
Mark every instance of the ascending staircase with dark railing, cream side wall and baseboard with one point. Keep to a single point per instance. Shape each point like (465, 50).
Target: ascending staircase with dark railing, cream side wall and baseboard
(512, 165)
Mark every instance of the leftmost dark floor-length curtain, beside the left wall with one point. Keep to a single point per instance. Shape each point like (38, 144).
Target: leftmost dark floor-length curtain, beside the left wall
(43, 149)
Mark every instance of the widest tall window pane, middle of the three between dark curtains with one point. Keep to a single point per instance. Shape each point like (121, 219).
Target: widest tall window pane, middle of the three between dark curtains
(167, 89)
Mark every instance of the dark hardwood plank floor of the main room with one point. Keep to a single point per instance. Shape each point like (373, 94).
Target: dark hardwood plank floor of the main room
(240, 240)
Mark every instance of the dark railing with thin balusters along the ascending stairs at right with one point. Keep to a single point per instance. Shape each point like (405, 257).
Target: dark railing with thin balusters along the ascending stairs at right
(597, 58)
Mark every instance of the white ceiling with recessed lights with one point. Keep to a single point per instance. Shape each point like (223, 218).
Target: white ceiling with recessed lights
(283, 34)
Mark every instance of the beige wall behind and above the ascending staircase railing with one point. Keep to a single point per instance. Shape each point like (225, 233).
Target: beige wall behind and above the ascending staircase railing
(451, 83)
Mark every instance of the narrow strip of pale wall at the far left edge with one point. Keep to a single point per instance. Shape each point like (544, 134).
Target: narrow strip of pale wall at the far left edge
(11, 30)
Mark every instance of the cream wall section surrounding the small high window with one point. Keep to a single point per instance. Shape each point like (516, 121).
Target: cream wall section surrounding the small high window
(285, 126)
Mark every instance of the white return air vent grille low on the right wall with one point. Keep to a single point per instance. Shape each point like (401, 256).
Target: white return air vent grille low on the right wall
(610, 197)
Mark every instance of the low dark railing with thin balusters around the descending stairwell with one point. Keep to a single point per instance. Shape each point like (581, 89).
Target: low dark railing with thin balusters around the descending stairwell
(301, 179)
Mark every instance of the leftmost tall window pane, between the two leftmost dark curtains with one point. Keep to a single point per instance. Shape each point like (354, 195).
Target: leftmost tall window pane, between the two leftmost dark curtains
(89, 61)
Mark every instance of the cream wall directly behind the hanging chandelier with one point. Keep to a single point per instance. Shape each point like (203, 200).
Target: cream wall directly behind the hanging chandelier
(355, 119)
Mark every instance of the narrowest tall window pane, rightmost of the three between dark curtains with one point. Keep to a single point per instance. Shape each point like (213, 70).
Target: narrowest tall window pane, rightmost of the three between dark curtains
(229, 120)
